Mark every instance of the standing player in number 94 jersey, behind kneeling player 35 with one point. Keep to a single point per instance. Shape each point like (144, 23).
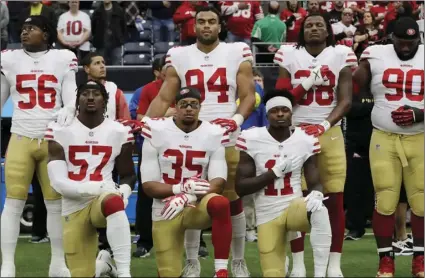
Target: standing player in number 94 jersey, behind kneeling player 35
(221, 72)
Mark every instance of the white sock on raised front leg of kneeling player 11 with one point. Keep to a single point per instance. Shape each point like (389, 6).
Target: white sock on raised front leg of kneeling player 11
(320, 239)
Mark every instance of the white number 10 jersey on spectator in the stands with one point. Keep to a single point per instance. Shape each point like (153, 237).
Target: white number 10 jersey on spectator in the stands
(73, 27)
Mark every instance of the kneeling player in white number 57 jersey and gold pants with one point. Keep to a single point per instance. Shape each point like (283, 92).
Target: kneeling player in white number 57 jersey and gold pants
(81, 159)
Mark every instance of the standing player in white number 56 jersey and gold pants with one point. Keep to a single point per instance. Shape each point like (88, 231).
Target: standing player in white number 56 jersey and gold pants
(40, 81)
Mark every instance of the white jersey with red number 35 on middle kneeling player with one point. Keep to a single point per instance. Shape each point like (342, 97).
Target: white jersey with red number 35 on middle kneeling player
(183, 155)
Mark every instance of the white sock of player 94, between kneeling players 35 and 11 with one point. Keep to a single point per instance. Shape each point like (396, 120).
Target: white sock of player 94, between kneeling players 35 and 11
(238, 236)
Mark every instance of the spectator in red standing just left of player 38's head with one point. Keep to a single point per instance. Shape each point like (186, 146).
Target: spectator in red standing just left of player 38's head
(293, 17)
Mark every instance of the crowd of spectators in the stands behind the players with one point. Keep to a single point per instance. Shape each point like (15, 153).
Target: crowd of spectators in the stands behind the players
(111, 27)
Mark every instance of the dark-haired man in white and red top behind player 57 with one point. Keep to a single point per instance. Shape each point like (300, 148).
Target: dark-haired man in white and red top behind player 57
(94, 66)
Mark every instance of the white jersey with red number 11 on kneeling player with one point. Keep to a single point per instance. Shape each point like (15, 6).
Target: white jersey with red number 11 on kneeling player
(265, 150)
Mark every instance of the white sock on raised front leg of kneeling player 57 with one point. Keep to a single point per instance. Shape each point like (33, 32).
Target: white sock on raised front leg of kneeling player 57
(119, 238)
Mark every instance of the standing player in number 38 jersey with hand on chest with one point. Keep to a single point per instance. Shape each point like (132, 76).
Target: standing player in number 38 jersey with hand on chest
(319, 75)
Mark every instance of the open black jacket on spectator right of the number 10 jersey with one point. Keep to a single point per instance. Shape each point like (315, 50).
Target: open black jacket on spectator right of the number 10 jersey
(118, 26)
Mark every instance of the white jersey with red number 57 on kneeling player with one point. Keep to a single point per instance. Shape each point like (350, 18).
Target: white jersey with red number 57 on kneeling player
(90, 153)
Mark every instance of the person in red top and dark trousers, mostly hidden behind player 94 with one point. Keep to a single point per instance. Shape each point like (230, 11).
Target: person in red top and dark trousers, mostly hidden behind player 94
(144, 202)
